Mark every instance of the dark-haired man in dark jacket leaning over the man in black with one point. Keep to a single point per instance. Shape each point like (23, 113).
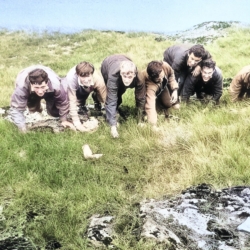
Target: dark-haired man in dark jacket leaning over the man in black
(185, 60)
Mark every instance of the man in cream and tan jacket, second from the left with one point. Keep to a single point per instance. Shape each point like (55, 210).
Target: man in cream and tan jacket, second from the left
(81, 80)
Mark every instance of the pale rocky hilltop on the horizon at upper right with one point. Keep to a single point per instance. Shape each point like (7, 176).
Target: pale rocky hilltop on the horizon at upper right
(202, 33)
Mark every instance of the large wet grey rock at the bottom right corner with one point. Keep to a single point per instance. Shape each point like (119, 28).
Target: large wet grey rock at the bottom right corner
(201, 218)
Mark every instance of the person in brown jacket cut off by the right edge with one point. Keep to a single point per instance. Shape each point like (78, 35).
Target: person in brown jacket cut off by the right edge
(240, 85)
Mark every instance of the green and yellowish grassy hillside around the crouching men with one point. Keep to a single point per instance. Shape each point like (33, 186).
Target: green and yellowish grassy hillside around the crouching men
(48, 190)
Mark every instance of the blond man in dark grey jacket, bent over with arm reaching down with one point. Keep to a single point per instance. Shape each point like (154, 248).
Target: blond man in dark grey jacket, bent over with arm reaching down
(120, 73)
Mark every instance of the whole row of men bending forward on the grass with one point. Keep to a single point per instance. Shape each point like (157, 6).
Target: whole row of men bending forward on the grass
(184, 71)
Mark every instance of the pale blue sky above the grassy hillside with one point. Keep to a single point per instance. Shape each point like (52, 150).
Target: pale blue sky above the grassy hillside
(159, 16)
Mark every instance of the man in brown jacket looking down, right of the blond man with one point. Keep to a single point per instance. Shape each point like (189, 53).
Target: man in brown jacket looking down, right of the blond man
(161, 89)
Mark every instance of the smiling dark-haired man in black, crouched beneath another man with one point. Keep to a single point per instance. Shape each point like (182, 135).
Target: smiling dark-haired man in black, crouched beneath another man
(208, 83)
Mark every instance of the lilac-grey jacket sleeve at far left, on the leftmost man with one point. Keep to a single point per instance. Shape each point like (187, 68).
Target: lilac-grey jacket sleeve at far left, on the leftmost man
(18, 106)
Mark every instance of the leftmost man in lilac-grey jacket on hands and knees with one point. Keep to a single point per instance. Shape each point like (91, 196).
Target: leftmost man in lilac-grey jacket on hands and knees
(33, 84)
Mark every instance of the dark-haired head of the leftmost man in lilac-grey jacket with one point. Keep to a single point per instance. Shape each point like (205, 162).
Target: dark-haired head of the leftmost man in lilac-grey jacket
(38, 79)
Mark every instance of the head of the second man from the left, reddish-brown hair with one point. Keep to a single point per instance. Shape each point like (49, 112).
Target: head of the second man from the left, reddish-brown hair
(84, 71)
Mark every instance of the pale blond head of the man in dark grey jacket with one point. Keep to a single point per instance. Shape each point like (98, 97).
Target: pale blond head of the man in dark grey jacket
(127, 72)
